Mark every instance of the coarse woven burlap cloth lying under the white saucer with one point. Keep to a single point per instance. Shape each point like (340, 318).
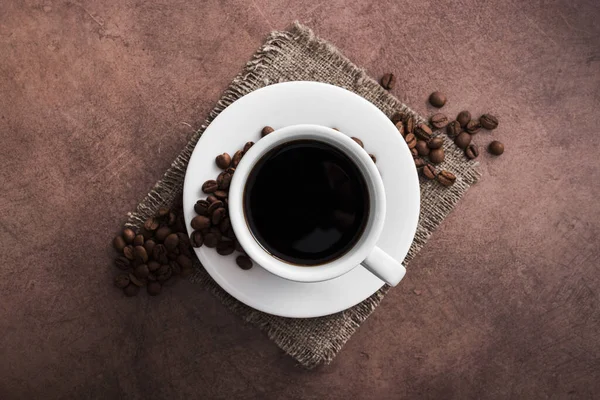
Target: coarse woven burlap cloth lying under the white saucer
(292, 55)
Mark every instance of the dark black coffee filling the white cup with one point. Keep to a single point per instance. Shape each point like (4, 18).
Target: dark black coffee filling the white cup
(306, 202)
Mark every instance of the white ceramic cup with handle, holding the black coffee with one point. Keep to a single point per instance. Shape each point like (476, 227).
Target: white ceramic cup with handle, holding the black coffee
(364, 251)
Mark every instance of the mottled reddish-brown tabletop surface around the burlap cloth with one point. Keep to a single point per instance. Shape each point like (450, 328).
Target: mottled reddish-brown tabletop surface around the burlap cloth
(97, 98)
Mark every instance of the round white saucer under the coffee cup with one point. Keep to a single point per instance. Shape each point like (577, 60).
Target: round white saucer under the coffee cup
(306, 103)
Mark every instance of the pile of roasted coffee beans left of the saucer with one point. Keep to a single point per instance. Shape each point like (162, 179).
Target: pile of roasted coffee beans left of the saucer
(154, 254)
